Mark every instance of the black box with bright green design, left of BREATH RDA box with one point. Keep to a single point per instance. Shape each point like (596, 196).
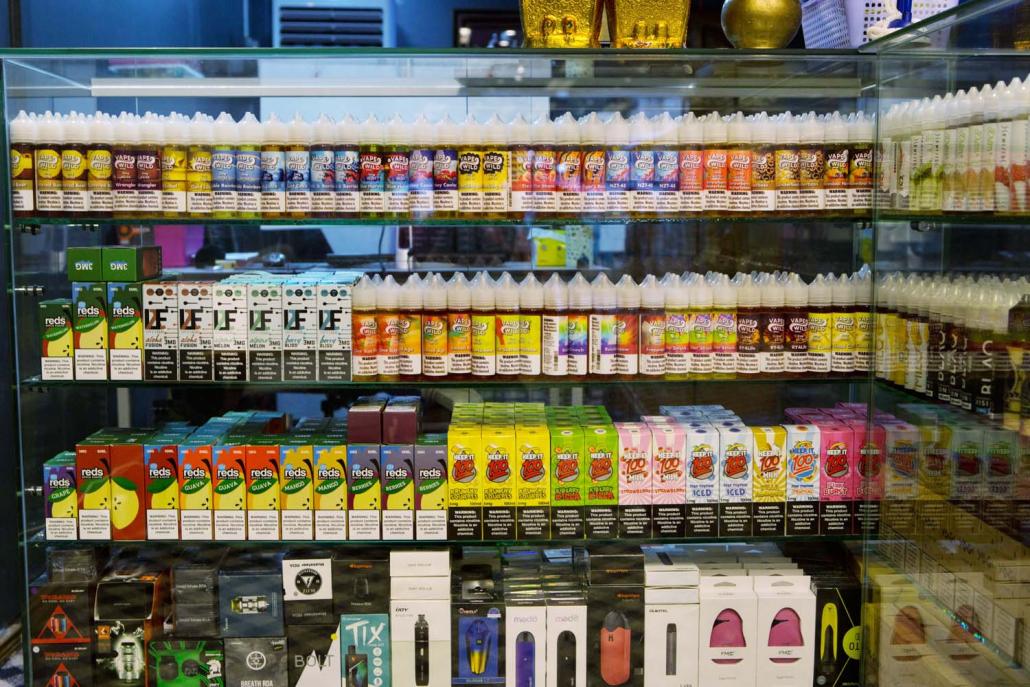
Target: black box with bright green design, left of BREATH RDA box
(186, 663)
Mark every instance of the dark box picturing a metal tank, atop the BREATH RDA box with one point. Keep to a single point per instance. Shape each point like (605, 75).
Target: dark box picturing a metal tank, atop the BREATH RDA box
(251, 603)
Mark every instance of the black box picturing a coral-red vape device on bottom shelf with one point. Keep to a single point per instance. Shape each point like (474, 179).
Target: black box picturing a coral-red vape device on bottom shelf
(615, 632)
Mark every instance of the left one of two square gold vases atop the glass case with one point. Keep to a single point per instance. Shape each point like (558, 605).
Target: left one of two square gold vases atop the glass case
(562, 23)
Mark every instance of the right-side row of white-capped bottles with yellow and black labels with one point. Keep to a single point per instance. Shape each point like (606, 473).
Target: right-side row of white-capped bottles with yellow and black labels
(960, 340)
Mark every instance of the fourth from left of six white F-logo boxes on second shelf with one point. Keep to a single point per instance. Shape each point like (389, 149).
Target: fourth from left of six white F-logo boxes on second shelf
(264, 330)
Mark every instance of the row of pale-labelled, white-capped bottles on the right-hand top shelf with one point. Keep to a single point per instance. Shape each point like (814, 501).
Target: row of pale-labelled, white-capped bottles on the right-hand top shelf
(965, 153)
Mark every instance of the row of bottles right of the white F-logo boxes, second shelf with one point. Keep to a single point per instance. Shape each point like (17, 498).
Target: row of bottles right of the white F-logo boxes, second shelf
(679, 327)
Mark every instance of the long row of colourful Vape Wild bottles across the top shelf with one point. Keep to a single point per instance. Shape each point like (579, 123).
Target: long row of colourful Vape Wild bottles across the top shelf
(640, 167)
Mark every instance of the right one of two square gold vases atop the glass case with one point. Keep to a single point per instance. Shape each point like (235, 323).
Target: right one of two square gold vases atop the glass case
(648, 23)
